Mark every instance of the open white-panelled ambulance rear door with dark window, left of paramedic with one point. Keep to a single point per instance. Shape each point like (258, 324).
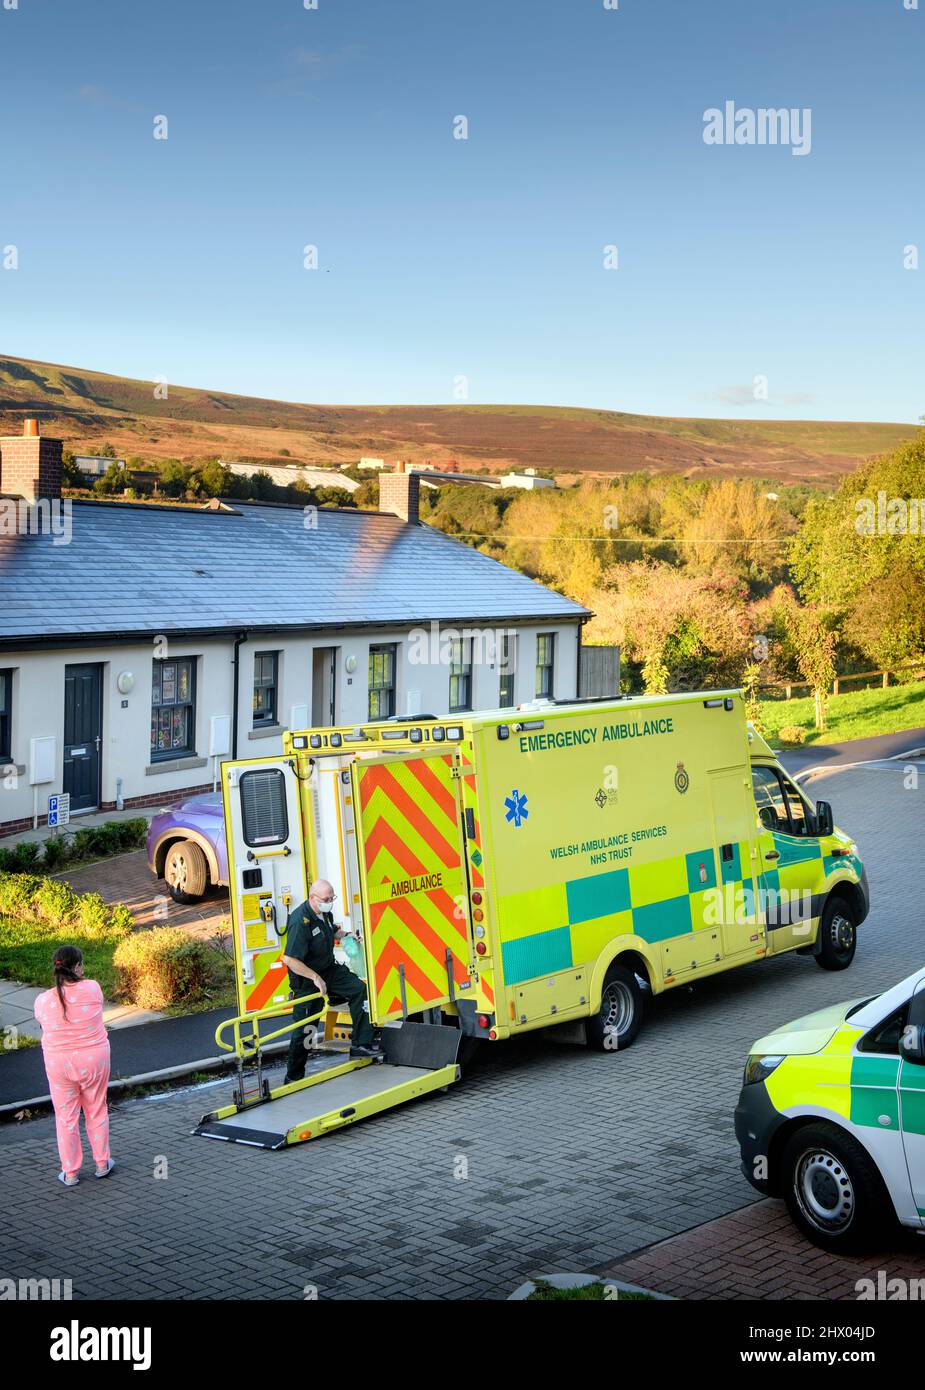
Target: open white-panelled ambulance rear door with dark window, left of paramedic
(266, 872)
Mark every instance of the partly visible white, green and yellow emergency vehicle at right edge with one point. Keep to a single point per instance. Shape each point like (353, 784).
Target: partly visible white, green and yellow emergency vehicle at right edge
(832, 1118)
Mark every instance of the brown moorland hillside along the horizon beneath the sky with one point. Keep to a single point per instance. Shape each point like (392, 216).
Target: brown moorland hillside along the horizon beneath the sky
(90, 408)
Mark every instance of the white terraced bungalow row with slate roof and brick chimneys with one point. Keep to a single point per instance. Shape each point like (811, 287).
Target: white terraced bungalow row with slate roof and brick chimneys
(143, 644)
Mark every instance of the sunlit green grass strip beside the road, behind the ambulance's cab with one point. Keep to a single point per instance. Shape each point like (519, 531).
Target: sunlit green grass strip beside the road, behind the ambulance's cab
(852, 715)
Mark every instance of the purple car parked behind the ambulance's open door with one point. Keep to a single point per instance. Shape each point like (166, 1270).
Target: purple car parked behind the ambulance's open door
(187, 847)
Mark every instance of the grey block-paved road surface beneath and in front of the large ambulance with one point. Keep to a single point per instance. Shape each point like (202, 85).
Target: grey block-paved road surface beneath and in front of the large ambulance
(571, 1160)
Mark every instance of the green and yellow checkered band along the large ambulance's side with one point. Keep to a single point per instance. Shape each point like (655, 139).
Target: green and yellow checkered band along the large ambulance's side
(657, 901)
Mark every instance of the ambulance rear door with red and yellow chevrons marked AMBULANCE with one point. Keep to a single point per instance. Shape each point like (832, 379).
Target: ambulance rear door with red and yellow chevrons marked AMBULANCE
(414, 882)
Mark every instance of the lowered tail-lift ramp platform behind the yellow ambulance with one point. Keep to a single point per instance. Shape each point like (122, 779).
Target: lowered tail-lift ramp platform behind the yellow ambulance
(340, 1090)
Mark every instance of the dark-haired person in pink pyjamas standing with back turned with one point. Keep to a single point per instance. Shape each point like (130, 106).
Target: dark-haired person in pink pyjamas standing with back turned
(77, 1061)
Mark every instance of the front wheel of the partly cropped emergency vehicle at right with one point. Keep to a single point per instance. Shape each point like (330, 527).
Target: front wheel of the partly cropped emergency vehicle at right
(835, 1192)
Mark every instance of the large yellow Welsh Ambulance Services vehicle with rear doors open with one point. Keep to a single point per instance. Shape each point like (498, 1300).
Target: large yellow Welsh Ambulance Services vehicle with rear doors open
(513, 871)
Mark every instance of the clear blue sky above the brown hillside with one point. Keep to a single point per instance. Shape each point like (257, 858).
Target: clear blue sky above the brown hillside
(479, 259)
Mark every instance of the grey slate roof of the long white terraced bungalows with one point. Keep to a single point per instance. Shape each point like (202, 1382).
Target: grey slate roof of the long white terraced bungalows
(131, 571)
